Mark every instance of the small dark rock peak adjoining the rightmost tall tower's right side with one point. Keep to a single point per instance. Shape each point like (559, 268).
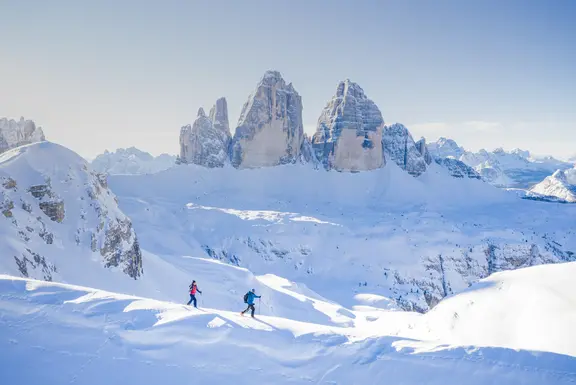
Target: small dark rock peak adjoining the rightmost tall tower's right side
(400, 148)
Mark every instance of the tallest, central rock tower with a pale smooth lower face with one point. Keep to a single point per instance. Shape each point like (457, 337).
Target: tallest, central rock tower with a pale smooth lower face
(270, 130)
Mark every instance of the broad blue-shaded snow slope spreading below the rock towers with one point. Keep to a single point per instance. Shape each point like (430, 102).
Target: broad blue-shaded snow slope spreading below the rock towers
(414, 240)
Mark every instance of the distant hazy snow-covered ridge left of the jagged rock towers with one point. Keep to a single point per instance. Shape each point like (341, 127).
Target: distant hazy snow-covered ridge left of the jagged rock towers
(131, 161)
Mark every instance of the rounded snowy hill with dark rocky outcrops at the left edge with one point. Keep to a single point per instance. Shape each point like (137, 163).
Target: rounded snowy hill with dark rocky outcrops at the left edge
(60, 221)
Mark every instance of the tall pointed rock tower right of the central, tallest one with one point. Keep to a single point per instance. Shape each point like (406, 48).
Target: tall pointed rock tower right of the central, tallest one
(349, 132)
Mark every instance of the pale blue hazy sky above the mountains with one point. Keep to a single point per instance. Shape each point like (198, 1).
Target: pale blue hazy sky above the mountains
(107, 74)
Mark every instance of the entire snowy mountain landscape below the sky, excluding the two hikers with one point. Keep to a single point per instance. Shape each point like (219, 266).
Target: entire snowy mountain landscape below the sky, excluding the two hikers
(377, 256)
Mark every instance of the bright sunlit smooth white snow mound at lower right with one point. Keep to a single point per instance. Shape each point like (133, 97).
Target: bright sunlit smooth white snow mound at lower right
(531, 309)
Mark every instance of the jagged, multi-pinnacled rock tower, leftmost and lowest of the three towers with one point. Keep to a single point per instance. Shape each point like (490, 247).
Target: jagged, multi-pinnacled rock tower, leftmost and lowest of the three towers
(206, 142)
